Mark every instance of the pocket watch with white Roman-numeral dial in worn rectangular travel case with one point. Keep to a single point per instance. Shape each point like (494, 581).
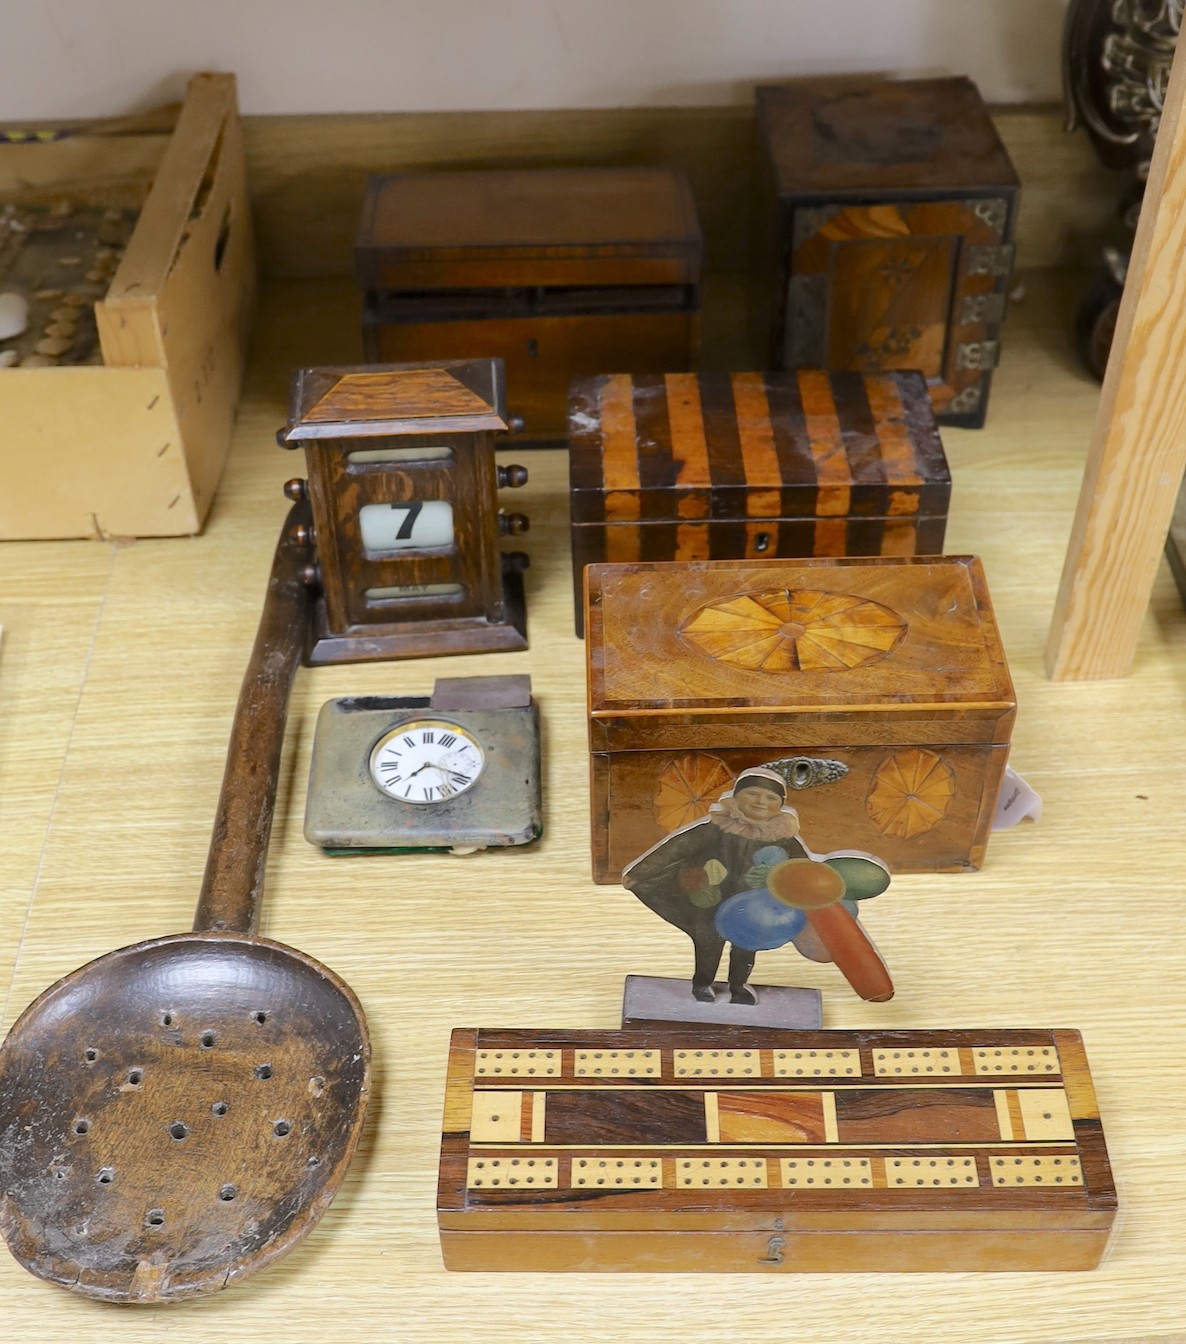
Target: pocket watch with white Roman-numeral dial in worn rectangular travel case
(457, 771)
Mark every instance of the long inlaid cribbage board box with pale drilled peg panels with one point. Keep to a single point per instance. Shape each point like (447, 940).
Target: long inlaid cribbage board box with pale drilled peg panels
(759, 1151)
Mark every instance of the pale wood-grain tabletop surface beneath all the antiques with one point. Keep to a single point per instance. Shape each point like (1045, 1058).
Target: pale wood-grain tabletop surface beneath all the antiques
(119, 675)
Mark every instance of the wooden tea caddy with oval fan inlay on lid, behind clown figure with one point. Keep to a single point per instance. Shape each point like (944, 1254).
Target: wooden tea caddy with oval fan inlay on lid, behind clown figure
(877, 687)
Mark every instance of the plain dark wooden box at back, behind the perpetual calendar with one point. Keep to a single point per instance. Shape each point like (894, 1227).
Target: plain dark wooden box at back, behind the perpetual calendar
(556, 272)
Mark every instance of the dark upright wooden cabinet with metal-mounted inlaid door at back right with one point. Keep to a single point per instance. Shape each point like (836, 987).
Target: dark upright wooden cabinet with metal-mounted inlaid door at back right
(884, 233)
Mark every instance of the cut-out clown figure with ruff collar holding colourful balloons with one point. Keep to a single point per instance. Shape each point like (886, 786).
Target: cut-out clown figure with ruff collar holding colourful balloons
(743, 876)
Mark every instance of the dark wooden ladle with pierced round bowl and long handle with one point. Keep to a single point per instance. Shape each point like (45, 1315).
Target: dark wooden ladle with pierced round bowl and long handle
(178, 1114)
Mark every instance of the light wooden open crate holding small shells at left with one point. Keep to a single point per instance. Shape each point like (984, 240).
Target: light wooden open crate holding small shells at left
(136, 447)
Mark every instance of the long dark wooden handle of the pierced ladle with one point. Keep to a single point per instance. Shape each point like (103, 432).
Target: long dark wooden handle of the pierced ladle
(233, 888)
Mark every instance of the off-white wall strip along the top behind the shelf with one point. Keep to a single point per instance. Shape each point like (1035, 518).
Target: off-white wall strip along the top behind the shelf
(85, 58)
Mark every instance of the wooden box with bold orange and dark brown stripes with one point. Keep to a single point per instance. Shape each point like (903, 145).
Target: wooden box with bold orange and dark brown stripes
(685, 467)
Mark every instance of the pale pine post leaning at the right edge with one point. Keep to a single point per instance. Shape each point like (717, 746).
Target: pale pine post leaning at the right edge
(1138, 451)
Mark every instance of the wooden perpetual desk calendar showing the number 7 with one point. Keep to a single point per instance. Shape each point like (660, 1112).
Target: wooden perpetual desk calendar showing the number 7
(412, 439)
